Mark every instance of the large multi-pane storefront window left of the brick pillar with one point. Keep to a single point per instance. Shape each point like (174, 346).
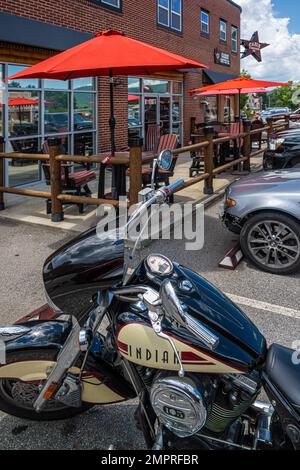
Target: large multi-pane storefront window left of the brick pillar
(23, 104)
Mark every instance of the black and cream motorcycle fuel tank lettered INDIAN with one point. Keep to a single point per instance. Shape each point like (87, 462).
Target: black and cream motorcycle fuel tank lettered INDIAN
(241, 346)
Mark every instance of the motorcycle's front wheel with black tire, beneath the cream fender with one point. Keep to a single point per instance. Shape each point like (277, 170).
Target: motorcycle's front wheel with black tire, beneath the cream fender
(17, 397)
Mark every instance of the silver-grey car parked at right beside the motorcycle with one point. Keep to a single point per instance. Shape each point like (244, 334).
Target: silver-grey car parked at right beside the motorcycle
(265, 211)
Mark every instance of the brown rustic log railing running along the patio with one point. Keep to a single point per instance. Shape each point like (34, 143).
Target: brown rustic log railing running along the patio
(134, 161)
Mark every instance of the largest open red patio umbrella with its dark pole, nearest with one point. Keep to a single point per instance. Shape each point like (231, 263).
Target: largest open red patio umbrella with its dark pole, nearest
(109, 53)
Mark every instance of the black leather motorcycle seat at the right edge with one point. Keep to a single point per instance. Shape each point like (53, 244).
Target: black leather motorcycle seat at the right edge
(284, 371)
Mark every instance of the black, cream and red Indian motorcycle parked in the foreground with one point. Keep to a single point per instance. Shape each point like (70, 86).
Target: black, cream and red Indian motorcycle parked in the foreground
(194, 360)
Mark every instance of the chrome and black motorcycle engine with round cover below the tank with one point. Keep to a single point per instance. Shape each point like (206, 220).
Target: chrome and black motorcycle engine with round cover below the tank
(202, 402)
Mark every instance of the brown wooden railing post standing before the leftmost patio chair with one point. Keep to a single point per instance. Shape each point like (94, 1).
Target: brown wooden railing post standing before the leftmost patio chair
(55, 181)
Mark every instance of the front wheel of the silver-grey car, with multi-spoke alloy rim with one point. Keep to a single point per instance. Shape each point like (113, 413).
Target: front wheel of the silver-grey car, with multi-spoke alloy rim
(273, 256)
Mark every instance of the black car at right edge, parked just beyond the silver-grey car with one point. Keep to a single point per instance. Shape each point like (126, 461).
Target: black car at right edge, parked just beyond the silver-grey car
(283, 150)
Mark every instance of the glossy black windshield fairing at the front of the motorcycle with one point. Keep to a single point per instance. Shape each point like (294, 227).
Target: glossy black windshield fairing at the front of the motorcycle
(75, 272)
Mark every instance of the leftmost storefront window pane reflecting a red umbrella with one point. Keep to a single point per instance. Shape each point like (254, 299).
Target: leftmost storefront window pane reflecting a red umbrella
(23, 113)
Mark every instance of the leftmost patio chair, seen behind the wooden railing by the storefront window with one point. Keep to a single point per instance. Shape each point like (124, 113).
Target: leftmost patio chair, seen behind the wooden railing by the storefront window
(73, 183)
